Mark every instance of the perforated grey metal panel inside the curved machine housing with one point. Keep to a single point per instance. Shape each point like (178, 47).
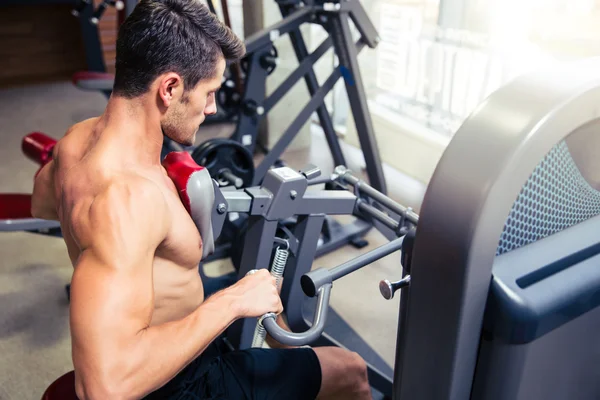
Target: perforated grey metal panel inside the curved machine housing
(555, 197)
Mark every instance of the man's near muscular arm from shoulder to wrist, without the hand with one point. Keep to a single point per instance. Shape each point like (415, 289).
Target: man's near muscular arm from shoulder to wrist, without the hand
(116, 353)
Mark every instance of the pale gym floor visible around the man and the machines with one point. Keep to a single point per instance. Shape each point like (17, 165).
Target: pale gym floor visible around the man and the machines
(34, 325)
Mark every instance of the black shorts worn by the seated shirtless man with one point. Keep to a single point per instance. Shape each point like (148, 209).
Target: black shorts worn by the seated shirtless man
(268, 374)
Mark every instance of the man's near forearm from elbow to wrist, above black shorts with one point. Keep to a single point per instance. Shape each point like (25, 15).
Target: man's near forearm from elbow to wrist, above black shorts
(158, 353)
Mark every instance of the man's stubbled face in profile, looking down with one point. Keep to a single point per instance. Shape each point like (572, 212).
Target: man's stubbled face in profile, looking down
(185, 115)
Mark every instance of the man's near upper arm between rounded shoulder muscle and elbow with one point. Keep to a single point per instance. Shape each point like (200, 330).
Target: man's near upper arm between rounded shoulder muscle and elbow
(109, 306)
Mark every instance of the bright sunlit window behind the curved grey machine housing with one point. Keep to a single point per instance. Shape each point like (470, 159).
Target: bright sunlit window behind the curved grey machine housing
(439, 59)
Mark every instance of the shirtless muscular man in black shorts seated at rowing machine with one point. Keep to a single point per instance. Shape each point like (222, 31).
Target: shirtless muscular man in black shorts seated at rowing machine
(140, 327)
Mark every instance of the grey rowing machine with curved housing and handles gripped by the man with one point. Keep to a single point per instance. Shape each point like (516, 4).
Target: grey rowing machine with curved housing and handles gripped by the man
(478, 318)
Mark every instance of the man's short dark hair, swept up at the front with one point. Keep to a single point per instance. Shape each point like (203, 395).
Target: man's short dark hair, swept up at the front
(160, 36)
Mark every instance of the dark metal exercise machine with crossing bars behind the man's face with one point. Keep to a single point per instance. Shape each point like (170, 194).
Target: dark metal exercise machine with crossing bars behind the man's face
(261, 60)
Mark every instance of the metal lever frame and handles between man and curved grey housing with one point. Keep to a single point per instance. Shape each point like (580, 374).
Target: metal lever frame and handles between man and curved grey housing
(285, 193)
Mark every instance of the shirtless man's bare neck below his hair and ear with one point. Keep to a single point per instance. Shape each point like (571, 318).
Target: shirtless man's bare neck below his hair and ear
(136, 125)
